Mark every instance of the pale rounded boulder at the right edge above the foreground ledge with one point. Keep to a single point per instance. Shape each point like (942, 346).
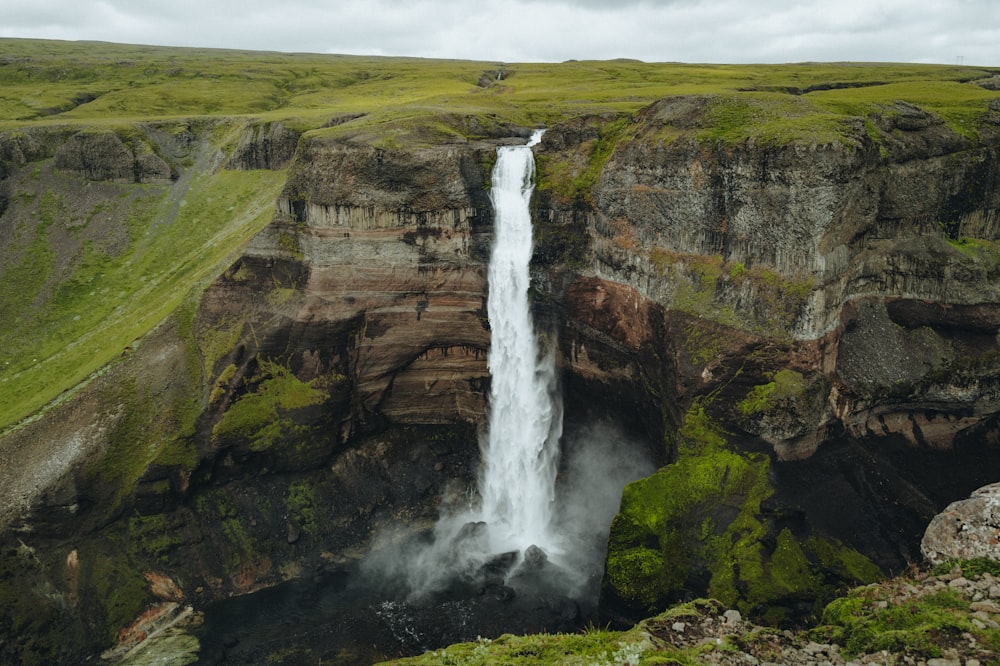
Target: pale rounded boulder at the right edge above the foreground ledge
(967, 529)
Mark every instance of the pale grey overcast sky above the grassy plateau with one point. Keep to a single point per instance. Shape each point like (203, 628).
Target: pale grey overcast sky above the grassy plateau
(721, 31)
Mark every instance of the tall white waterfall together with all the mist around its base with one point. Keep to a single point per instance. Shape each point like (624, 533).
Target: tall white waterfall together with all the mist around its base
(517, 538)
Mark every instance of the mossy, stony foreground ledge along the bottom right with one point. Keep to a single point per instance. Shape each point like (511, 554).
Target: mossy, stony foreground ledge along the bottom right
(912, 619)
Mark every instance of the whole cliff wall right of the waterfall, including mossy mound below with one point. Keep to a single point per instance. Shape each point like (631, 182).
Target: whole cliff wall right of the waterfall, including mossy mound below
(834, 306)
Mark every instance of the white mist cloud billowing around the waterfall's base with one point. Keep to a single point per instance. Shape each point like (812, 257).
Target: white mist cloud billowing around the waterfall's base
(460, 558)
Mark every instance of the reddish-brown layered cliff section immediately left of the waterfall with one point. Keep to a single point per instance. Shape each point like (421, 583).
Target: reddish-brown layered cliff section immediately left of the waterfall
(380, 256)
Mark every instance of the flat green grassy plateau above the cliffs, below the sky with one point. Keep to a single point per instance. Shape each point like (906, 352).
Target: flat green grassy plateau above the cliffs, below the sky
(44, 81)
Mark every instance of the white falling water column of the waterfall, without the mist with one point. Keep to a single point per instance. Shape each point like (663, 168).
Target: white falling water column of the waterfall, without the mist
(520, 450)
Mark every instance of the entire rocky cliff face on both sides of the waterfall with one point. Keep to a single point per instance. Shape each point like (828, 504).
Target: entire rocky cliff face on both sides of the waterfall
(807, 332)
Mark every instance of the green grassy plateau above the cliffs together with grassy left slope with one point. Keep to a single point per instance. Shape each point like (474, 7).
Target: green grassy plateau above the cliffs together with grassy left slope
(90, 267)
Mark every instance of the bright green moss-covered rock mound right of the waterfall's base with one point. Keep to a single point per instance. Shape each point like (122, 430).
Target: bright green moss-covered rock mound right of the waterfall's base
(700, 518)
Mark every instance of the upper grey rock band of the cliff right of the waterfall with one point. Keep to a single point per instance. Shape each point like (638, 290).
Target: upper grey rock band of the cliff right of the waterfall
(856, 221)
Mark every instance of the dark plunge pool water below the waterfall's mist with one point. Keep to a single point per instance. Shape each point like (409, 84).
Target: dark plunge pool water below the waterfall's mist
(344, 617)
